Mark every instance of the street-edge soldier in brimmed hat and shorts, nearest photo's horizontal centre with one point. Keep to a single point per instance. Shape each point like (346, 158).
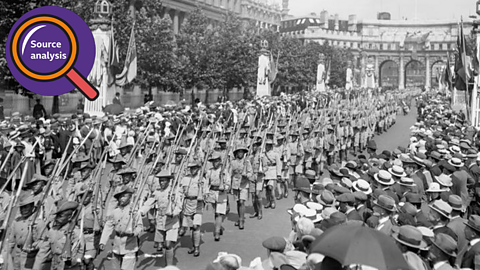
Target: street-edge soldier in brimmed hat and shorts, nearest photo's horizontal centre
(241, 173)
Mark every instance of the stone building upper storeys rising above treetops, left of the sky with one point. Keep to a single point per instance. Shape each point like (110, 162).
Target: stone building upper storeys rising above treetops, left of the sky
(263, 14)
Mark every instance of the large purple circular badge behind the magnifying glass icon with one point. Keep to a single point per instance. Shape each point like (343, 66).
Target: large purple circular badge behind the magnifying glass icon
(50, 35)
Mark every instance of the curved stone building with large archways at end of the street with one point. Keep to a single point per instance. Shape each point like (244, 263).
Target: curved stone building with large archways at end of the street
(404, 53)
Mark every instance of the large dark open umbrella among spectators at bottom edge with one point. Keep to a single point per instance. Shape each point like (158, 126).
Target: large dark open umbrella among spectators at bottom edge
(358, 244)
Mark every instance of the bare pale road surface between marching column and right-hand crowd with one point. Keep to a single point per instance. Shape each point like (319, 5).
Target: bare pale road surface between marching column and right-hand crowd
(247, 243)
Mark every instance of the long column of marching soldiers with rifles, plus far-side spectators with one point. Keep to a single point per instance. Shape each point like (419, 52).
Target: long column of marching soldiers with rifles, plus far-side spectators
(69, 183)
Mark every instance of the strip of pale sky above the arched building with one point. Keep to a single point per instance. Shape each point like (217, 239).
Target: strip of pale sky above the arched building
(367, 9)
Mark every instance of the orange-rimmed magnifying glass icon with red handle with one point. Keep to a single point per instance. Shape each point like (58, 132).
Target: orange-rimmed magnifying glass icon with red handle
(67, 70)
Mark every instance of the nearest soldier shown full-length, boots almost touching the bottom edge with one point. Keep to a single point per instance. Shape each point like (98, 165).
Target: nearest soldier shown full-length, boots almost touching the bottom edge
(167, 222)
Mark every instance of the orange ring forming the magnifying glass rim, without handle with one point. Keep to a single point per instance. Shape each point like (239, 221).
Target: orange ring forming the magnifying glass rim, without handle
(57, 74)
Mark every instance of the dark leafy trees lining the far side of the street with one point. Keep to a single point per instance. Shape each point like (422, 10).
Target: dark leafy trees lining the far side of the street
(201, 55)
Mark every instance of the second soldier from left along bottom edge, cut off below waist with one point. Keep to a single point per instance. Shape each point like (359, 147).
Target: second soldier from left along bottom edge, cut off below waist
(55, 241)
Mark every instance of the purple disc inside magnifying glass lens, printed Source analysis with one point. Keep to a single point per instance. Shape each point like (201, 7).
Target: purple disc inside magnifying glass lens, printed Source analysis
(44, 48)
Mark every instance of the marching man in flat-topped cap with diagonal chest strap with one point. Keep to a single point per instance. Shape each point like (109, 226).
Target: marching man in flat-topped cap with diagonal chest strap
(271, 160)
